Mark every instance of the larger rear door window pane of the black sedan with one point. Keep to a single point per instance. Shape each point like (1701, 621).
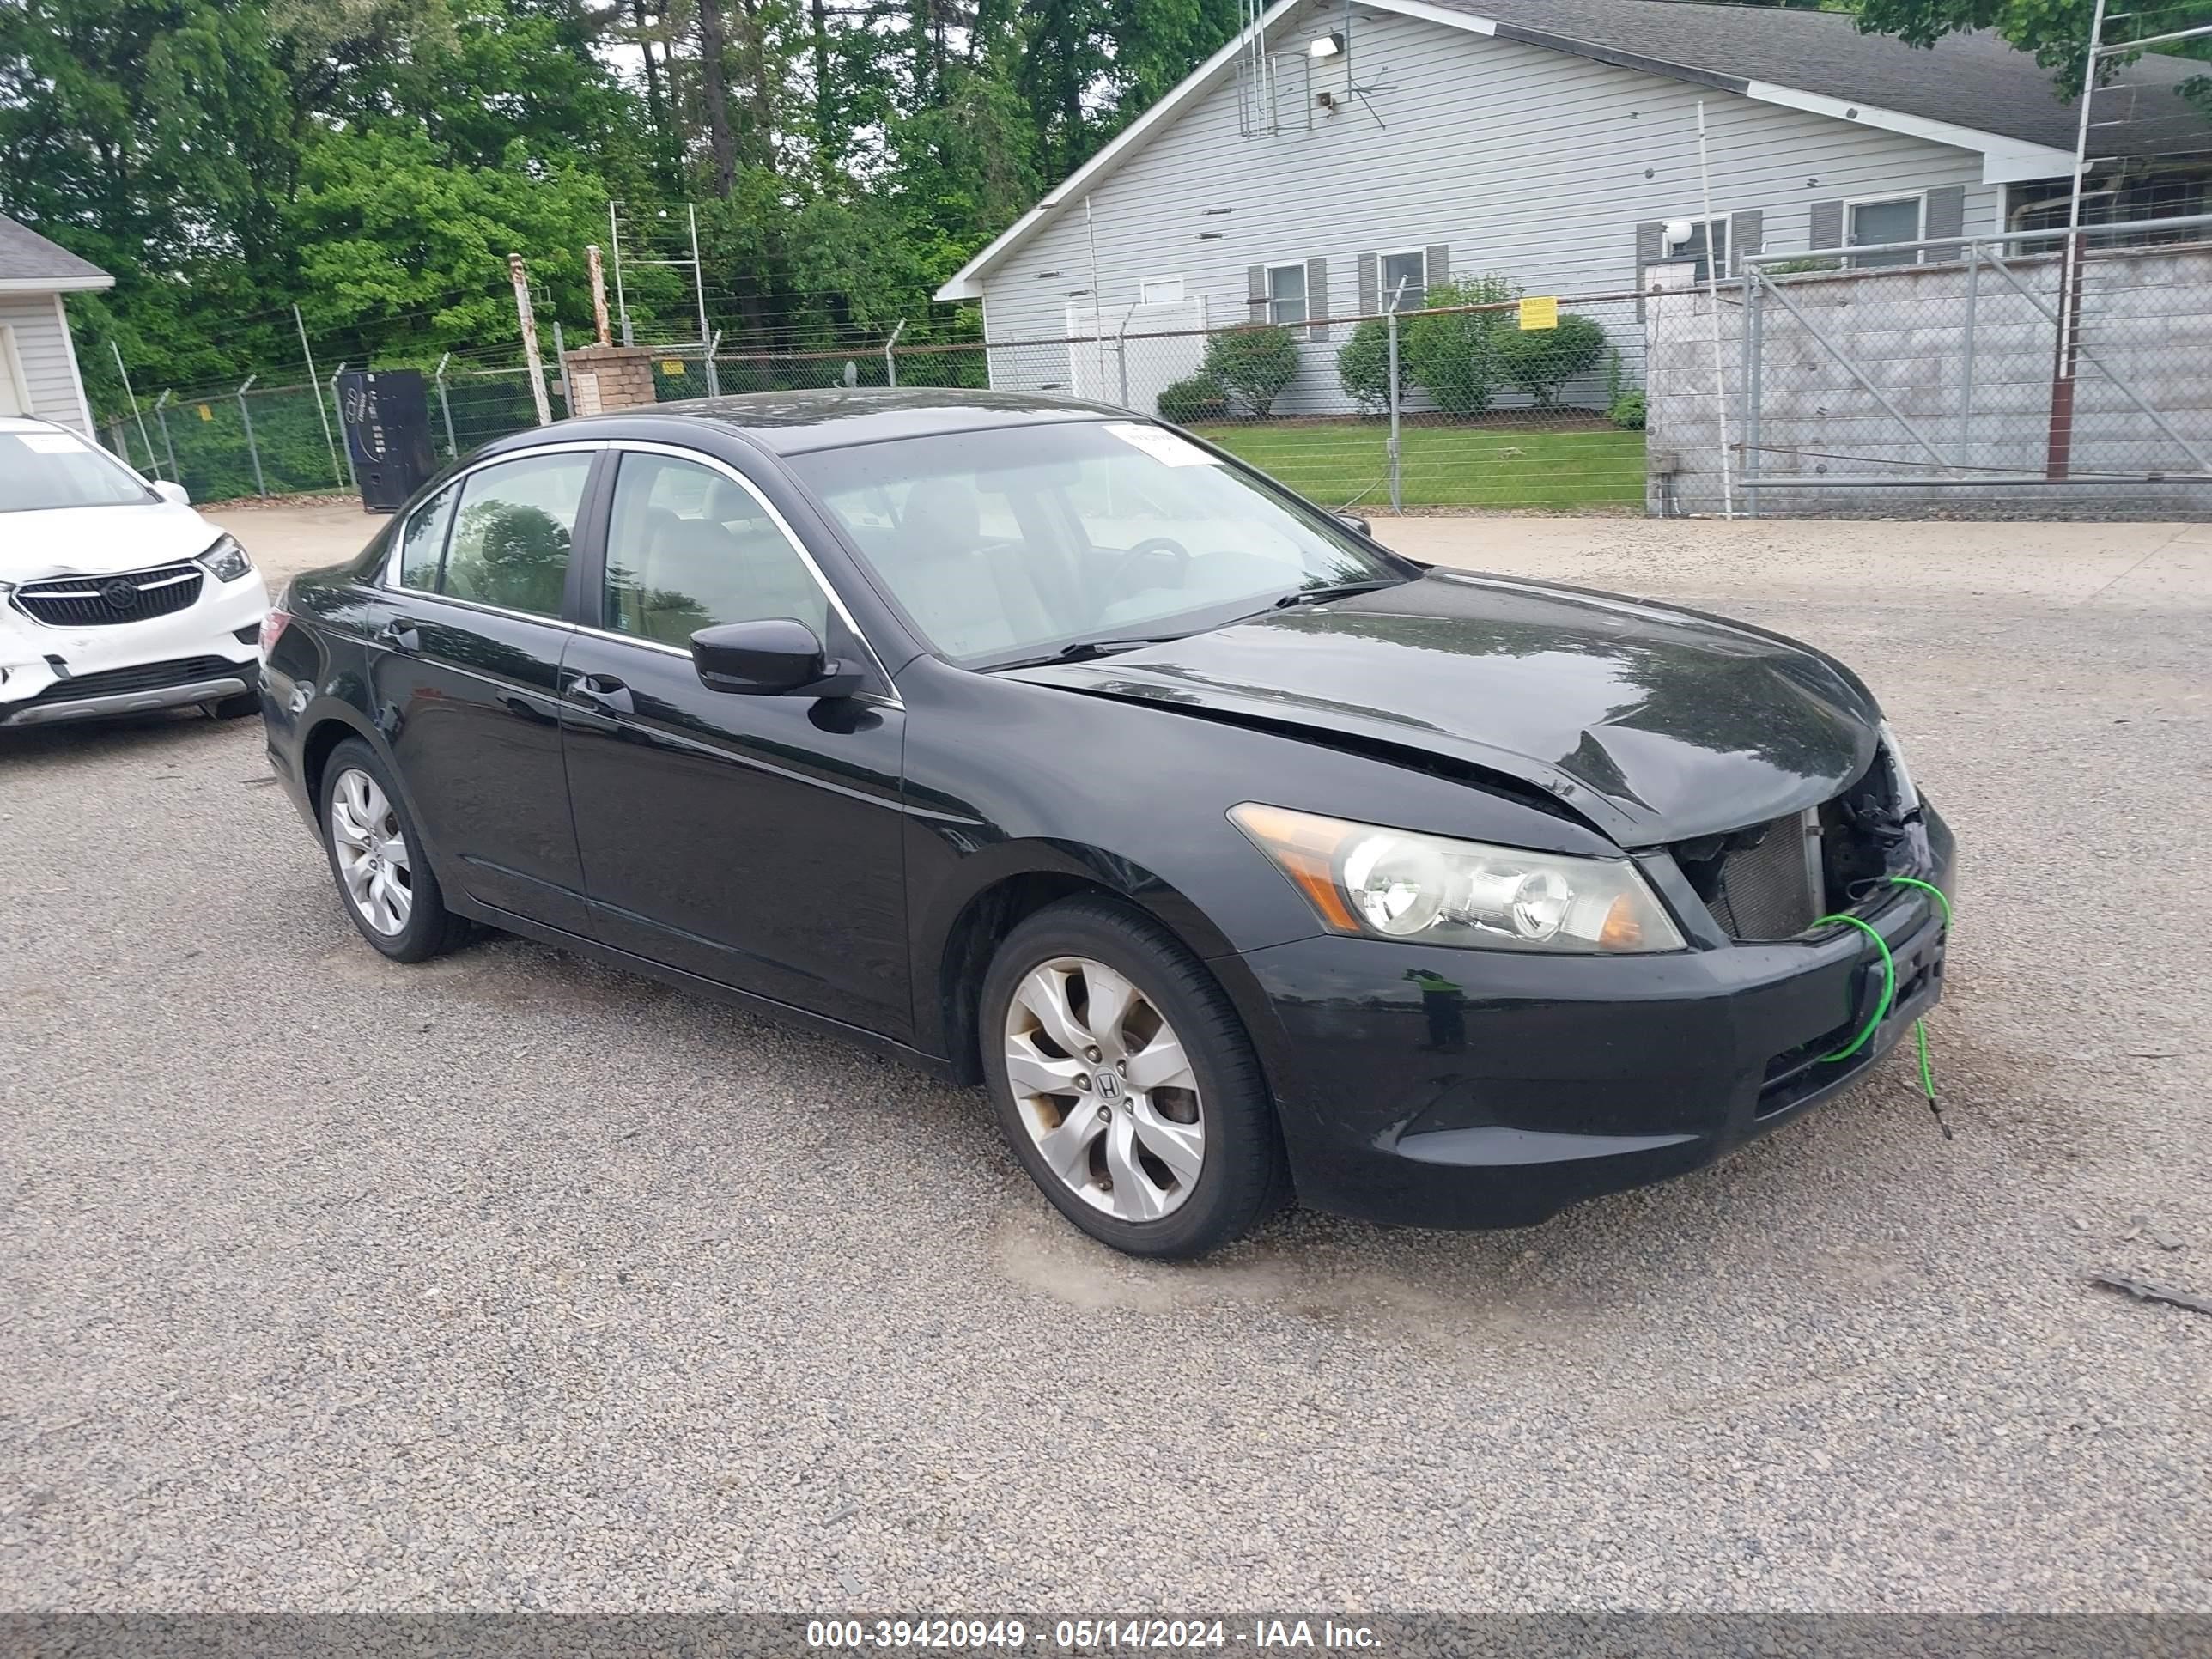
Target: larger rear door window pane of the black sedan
(512, 534)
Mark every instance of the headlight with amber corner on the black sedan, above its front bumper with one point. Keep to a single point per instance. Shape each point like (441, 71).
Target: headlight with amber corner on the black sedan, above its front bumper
(1432, 890)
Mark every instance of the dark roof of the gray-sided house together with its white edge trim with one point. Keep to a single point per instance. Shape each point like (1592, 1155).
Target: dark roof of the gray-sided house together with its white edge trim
(1970, 92)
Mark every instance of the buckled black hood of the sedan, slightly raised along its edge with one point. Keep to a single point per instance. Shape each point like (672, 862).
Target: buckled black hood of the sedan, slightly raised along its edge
(1653, 724)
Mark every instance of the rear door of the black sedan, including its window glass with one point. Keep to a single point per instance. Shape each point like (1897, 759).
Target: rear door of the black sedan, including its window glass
(466, 649)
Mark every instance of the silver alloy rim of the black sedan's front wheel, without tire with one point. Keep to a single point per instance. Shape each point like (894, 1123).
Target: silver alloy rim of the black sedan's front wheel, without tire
(1105, 1089)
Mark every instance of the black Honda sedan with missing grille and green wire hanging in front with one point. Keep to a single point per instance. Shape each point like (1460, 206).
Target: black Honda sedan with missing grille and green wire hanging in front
(1056, 751)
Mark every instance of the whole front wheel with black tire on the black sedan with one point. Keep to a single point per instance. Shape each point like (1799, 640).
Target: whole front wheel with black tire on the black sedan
(1112, 1129)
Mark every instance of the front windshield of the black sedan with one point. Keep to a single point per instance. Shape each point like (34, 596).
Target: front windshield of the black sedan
(1023, 543)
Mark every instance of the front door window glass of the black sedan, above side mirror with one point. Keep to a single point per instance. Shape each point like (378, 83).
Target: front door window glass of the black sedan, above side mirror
(689, 547)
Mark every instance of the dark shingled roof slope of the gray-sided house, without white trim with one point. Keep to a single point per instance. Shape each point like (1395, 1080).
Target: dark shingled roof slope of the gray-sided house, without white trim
(1968, 79)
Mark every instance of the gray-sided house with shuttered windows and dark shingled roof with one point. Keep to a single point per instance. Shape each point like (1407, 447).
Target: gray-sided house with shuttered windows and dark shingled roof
(1543, 140)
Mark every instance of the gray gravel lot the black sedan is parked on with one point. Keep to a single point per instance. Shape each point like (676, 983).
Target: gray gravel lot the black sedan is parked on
(512, 1282)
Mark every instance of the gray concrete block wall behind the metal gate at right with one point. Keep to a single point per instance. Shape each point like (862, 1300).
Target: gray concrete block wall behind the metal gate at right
(2147, 328)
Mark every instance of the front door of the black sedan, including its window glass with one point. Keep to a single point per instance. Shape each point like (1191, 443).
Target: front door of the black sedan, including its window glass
(747, 839)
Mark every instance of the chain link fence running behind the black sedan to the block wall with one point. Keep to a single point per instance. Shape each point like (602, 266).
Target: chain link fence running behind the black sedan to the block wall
(1496, 404)
